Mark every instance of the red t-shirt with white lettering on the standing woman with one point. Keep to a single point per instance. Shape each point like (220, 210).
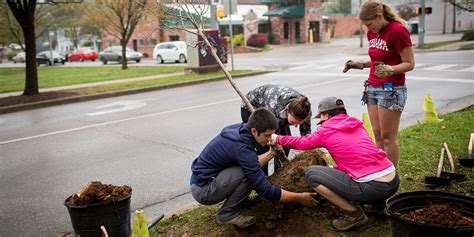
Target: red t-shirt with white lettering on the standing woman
(385, 46)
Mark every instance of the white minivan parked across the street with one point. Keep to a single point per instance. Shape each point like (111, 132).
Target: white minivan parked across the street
(170, 51)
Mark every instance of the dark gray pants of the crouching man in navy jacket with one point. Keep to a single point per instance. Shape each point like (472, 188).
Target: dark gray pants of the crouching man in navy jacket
(231, 186)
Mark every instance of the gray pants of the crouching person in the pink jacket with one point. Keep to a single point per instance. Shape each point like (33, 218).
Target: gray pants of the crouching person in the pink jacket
(341, 183)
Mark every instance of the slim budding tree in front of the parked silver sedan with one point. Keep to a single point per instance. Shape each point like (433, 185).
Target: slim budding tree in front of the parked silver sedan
(119, 18)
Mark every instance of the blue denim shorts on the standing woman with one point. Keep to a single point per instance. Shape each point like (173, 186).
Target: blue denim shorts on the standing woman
(393, 100)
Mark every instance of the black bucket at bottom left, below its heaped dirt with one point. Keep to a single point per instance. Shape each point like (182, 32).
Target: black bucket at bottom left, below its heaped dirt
(114, 215)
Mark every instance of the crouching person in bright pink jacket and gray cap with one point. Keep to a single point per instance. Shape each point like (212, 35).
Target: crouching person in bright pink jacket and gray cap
(362, 175)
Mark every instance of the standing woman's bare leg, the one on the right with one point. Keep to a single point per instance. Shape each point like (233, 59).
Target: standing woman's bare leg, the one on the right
(390, 121)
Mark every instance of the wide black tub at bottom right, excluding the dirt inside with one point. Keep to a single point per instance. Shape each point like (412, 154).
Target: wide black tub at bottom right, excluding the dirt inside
(410, 201)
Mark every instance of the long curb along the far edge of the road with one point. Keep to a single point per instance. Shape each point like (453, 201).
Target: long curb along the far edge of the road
(47, 103)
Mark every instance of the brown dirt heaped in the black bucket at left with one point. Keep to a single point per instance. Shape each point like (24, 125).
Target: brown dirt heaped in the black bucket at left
(96, 191)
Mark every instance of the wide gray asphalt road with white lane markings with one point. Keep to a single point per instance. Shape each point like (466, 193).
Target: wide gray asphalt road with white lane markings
(149, 140)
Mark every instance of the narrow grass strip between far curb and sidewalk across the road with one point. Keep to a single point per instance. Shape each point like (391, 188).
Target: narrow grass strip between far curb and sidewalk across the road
(157, 82)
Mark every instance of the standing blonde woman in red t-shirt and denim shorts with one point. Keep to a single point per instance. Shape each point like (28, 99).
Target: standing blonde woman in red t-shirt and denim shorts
(391, 56)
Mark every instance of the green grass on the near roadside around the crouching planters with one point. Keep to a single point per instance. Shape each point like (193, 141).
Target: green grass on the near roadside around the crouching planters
(420, 147)
